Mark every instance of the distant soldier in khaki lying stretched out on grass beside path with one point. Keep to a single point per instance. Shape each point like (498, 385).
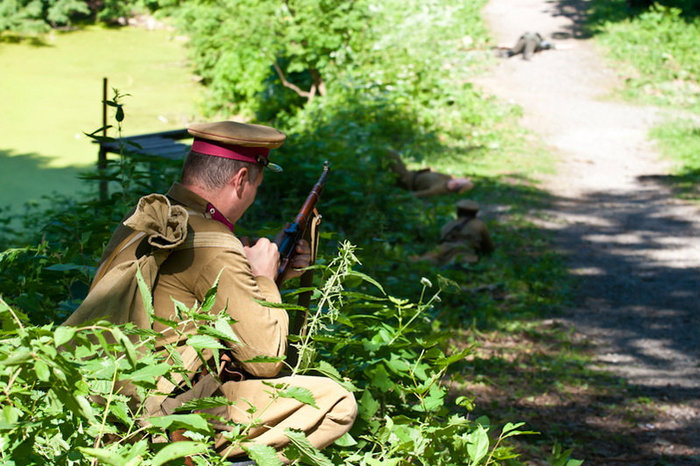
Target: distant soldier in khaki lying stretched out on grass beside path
(425, 182)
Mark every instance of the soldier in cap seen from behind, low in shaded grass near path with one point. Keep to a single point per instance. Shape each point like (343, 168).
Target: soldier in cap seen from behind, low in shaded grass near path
(463, 239)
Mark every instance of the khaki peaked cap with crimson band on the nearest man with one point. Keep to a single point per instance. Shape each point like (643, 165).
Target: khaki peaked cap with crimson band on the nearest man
(237, 141)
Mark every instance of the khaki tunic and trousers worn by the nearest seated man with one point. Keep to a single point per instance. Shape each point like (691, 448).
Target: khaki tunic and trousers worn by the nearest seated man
(186, 276)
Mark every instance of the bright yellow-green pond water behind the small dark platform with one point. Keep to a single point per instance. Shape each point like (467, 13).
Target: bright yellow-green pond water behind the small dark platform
(50, 94)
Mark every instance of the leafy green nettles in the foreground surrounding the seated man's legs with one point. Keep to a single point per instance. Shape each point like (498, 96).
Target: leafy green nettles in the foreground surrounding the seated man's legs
(63, 397)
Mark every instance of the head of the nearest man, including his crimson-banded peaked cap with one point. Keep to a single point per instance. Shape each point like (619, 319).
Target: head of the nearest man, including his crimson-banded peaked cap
(226, 162)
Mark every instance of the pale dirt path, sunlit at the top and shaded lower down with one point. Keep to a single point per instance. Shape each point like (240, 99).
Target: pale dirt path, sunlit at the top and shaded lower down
(635, 249)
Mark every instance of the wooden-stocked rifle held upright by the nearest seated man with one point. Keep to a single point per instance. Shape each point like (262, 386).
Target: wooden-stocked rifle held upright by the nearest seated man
(297, 229)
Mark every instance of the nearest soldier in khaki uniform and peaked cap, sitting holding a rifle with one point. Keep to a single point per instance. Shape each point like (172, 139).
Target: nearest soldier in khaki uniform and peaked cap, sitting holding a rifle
(219, 182)
